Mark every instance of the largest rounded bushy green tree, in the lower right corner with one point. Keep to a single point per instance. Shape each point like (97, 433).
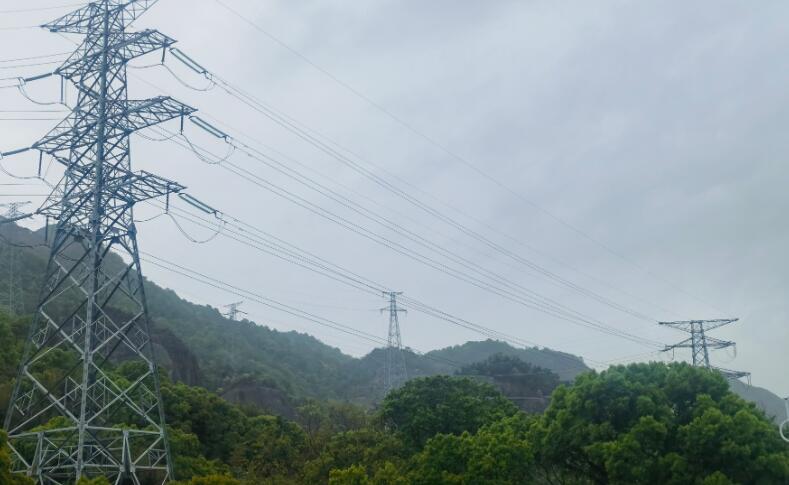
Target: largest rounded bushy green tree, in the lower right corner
(657, 424)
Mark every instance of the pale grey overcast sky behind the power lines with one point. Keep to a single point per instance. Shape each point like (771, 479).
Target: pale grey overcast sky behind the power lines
(655, 130)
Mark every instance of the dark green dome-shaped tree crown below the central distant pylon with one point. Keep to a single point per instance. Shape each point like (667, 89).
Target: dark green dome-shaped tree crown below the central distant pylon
(428, 406)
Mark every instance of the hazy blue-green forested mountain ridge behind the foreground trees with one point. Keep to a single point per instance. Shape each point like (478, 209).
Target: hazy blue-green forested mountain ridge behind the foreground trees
(253, 364)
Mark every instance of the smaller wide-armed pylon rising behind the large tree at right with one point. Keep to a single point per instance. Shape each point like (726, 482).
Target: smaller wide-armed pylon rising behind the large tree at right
(700, 343)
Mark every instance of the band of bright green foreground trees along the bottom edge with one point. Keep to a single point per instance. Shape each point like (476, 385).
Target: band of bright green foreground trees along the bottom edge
(640, 424)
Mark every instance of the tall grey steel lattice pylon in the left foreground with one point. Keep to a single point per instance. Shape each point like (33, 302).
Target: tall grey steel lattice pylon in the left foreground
(87, 401)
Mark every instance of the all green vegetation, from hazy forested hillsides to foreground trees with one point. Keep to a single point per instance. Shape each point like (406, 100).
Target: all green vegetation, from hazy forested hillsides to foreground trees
(273, 408)
